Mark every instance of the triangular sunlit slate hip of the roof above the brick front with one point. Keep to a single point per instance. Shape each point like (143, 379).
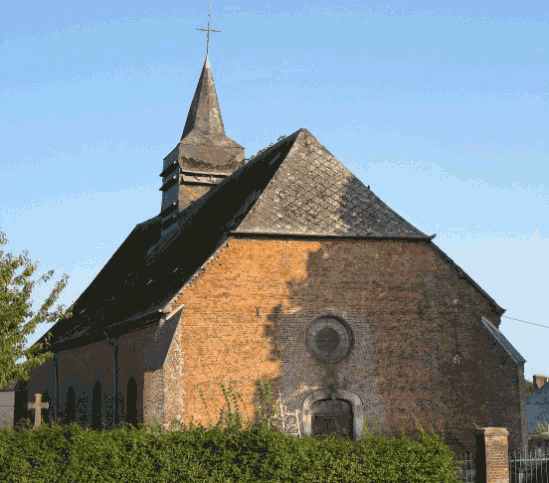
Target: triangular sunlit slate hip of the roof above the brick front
(313, 193)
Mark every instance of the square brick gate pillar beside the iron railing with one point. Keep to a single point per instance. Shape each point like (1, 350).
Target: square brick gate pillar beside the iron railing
(492, 457)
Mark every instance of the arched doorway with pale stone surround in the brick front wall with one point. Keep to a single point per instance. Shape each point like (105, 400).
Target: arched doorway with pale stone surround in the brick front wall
(332, 416)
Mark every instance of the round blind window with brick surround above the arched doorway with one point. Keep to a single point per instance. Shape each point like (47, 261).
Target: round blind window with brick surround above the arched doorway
(328, 339)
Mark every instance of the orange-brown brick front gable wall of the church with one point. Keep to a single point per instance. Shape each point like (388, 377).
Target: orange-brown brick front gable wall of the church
(247, 315)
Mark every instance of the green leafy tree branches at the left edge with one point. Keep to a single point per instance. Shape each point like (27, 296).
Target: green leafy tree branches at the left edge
(17, 320)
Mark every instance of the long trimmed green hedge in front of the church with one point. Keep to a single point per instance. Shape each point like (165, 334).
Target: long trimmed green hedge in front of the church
(64, 454)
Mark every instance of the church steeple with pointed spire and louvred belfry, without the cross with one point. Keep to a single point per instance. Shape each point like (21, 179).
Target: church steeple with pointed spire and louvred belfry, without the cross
(204, 156)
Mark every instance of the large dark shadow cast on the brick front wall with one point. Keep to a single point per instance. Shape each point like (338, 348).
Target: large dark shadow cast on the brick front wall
(336, 285)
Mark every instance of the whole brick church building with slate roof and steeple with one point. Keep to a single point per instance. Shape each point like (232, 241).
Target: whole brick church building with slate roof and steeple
(283, 266)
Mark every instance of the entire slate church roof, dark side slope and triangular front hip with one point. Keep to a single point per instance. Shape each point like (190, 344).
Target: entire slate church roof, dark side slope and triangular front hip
(293, 188)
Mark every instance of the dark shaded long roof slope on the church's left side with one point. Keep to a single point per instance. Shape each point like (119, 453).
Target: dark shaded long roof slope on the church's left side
(148, 270)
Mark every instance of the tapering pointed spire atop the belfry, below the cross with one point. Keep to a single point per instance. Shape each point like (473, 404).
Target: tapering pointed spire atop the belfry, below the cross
(204, 114)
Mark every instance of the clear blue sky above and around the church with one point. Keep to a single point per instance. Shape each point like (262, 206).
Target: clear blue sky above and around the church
(442, 108)
